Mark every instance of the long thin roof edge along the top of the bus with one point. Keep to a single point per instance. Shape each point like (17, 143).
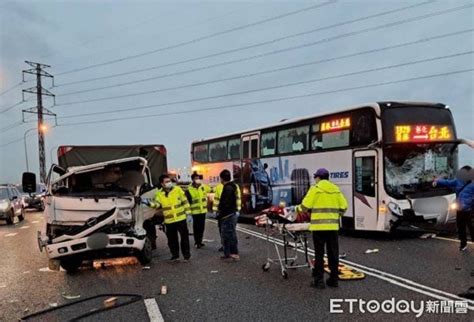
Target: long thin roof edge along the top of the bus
(378, 106)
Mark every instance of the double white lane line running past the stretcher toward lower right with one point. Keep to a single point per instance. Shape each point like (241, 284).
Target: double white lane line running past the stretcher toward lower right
(393, 279)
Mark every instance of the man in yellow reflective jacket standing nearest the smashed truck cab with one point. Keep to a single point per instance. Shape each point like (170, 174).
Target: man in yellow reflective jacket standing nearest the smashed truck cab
(172, 201)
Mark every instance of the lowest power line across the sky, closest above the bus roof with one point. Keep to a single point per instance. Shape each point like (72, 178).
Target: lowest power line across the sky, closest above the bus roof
(222, 107)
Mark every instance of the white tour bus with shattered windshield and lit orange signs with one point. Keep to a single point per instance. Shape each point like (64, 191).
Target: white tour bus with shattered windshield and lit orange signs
(384, 157)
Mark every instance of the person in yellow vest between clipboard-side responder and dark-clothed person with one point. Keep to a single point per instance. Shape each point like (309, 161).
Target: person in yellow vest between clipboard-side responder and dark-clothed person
(197, 196)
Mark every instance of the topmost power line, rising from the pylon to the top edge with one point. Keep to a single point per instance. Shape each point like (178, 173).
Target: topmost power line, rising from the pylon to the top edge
(195, 40)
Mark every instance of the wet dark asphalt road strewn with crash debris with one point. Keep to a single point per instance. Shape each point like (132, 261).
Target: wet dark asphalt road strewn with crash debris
(207, 289)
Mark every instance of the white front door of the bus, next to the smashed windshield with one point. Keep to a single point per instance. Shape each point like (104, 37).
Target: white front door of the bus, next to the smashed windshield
(365, 192)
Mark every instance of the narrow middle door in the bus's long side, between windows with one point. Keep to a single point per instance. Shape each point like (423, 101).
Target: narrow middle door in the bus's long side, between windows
(250, 165)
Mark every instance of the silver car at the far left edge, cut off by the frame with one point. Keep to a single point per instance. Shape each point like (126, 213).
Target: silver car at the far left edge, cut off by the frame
(11, 204)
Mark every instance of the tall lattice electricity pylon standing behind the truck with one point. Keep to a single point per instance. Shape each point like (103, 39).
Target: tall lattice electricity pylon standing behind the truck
(38, 70)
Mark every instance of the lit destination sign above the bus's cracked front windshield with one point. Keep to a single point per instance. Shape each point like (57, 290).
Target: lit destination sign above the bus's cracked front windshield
(422, 133)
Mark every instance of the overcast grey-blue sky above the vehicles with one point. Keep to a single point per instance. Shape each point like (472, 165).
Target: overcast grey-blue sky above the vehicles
(188, 50)
